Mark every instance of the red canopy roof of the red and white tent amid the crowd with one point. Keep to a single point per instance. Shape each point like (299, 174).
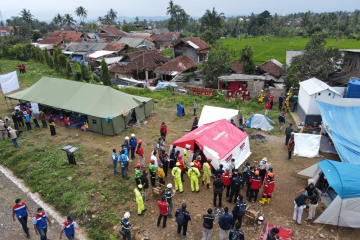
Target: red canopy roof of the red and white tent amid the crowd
(220, 136)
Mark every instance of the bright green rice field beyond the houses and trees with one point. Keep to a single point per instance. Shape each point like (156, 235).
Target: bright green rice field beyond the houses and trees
(264, 51)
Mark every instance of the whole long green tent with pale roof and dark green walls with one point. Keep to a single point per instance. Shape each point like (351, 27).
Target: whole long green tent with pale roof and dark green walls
(97, 102)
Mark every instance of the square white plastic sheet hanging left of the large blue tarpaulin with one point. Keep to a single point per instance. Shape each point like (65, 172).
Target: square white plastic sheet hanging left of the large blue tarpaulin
(307, 145)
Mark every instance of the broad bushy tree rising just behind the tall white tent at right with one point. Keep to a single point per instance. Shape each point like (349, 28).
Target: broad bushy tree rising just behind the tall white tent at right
(316, 61)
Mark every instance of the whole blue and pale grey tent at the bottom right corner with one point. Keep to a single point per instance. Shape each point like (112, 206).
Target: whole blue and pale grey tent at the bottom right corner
(344, 210)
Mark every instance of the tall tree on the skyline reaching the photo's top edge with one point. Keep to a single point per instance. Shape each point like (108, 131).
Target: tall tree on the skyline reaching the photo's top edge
(178, 17)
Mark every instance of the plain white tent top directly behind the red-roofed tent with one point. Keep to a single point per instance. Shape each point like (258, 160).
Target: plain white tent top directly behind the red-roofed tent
(211, 114)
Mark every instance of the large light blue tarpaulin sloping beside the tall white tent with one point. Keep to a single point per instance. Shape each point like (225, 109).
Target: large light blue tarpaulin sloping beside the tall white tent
(342, 124)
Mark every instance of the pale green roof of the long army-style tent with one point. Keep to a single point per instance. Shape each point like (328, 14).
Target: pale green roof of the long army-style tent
(95, 100)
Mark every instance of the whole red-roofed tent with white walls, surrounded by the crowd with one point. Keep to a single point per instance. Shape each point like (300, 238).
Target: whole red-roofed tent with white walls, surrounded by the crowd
(221, 141)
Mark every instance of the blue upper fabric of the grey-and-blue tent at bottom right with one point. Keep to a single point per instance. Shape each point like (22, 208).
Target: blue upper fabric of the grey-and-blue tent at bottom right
(342, 177)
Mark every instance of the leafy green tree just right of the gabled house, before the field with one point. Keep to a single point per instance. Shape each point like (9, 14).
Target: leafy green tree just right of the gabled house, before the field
(218, 64)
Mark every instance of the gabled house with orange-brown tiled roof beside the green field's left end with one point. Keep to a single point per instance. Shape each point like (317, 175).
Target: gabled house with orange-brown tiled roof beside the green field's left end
(194, 48)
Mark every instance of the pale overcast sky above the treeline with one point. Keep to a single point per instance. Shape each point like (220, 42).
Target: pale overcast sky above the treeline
(46, 9)
